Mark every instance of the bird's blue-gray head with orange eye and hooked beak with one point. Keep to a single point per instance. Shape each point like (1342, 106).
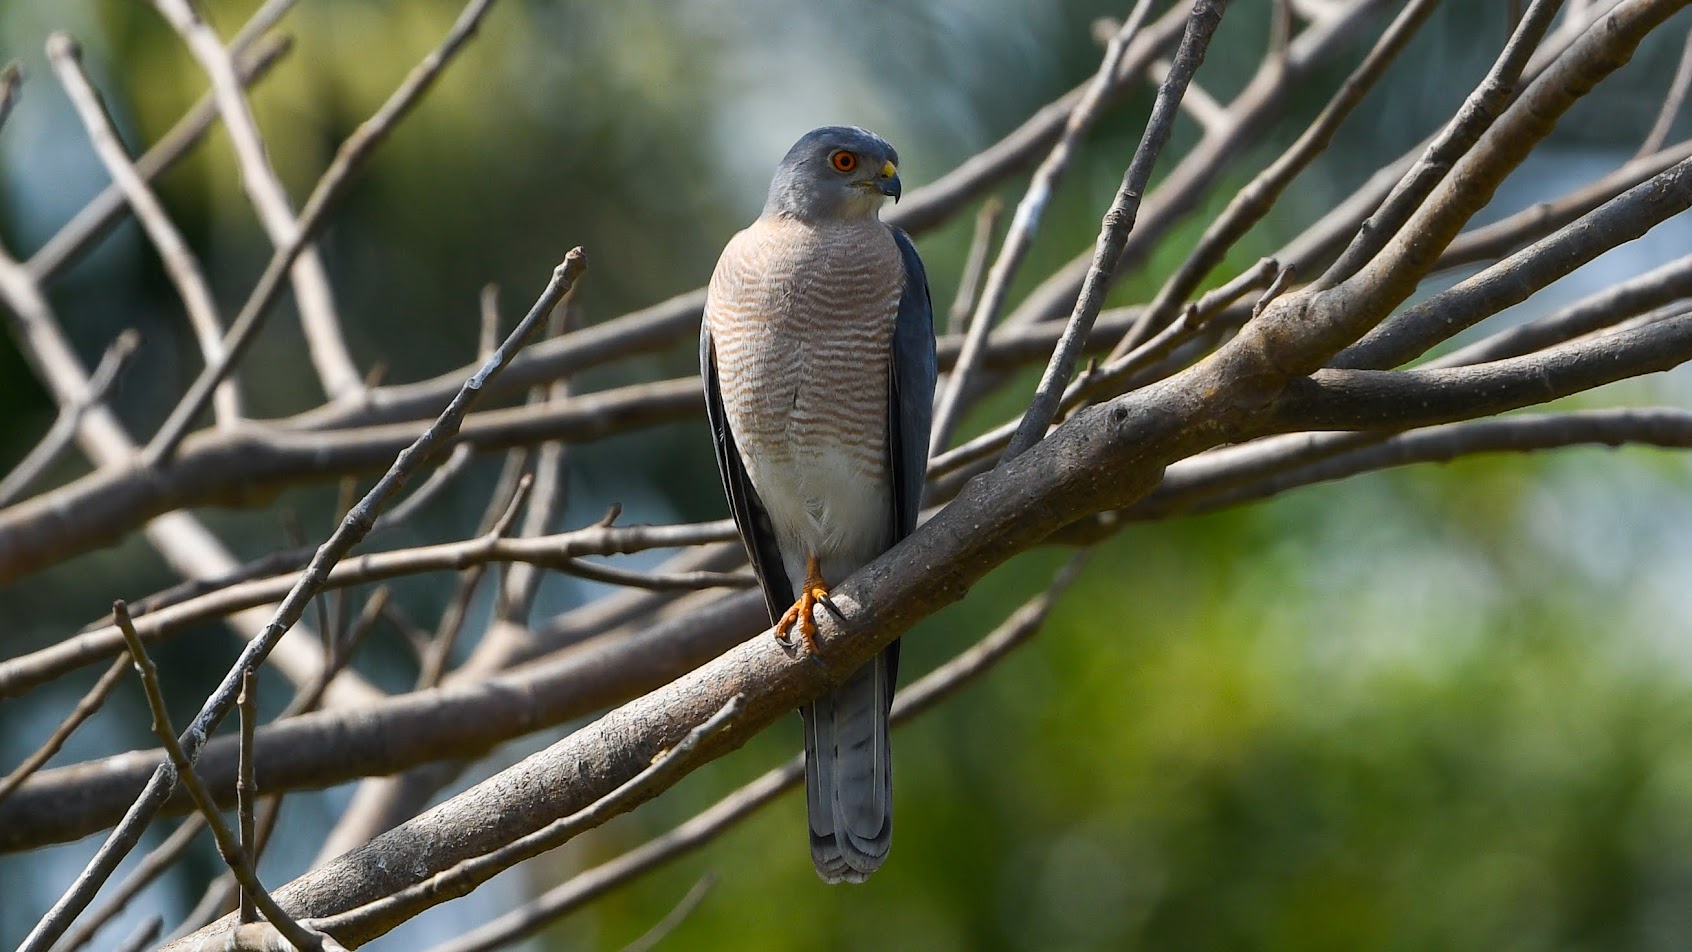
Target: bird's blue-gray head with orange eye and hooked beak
(837, 172)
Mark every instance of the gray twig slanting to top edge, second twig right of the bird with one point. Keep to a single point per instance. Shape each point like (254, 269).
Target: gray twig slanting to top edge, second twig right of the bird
(1114, 234)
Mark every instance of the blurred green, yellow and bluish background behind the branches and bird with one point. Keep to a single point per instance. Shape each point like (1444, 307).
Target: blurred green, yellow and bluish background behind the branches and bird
(1444, 708)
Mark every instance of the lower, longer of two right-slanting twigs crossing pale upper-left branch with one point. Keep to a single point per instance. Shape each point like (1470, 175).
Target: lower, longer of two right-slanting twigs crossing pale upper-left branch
(329, 189)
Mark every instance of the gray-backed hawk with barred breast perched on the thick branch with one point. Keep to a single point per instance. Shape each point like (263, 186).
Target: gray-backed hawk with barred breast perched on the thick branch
(818, 359)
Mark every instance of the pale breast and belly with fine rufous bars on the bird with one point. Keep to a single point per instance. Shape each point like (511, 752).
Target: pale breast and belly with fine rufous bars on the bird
(803, 326)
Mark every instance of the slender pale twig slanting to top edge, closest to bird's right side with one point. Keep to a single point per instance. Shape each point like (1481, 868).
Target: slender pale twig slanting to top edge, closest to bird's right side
(1023, 226)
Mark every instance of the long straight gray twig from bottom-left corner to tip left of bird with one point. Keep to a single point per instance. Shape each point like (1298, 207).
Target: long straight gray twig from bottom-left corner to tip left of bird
(358, 523)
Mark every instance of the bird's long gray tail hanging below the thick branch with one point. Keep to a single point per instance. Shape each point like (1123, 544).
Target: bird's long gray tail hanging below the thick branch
(850, 774)
